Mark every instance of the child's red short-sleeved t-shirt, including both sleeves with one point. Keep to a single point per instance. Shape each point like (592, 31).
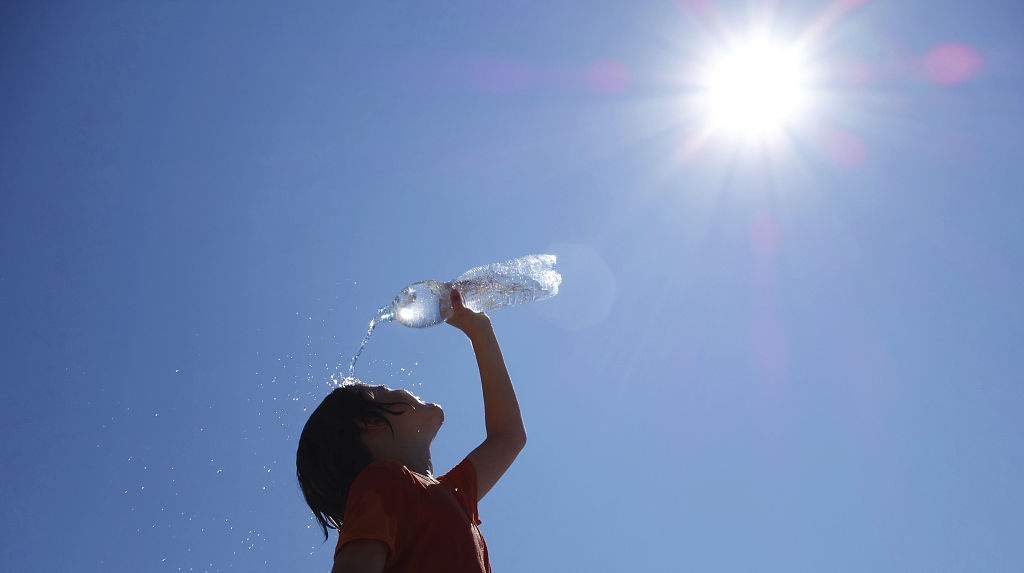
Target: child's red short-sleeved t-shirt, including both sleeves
(429, 524)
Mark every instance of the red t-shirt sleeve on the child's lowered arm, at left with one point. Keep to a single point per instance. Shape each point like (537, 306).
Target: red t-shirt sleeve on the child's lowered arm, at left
(375, 502)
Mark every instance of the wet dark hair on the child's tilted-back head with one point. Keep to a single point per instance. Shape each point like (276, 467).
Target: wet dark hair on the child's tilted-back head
(331, 454)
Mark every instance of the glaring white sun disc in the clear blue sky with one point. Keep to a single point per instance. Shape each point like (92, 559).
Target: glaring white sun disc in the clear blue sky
(755, 91)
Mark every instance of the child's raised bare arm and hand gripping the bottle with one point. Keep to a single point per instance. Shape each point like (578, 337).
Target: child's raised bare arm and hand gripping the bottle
(506, 434)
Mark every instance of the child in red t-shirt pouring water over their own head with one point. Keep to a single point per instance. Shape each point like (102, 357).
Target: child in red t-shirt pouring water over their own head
(364, 466)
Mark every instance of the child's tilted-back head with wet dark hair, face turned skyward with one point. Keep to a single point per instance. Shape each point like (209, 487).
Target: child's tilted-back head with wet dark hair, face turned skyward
(354, 426)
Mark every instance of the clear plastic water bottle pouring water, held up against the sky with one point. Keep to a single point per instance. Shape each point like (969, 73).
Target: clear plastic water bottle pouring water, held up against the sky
(521, 281)
